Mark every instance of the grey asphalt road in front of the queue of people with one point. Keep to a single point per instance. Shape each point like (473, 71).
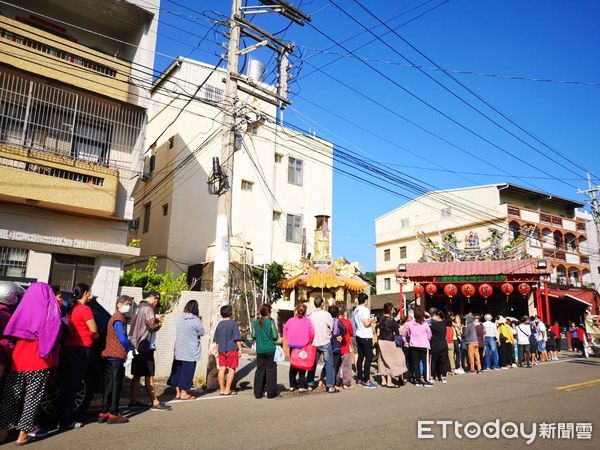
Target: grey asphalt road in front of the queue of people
(556, 392)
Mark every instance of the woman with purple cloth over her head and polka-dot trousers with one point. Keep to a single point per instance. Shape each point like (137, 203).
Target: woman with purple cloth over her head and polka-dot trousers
(35, 327)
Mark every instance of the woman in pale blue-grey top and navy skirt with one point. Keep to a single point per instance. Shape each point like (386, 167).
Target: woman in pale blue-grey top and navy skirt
(187, 351)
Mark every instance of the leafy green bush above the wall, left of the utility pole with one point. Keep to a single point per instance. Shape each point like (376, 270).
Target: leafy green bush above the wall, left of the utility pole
(148, 279)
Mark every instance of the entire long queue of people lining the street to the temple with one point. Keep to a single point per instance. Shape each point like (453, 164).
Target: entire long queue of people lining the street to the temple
(43, 336)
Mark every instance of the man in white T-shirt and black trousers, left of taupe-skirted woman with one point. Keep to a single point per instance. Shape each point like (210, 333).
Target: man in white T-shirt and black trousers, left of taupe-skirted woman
(364, 341)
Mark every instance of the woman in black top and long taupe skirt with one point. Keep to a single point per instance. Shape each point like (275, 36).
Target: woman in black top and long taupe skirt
(391, 357)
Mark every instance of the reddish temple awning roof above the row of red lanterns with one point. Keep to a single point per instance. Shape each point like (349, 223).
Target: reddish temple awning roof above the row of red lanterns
(486, 270)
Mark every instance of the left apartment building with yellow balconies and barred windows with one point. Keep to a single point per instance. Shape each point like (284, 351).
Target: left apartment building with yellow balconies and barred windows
(72, 130)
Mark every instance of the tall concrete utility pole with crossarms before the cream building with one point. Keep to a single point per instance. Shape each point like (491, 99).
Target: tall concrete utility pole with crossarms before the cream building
(234, 83)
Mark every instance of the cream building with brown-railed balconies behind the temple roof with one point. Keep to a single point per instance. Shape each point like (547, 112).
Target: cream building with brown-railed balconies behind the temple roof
(560, 231)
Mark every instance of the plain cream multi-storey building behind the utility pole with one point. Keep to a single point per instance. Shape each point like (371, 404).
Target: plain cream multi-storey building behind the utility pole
(281, 178)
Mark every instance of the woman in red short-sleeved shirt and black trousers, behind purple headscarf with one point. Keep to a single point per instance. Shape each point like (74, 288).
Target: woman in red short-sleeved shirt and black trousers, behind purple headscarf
(76, 353)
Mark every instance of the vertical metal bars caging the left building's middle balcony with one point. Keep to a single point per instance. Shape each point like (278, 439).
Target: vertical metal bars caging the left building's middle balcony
(44, 118)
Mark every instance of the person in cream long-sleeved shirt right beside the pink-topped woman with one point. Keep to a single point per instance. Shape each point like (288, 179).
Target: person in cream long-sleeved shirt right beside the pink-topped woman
(323, 325)
